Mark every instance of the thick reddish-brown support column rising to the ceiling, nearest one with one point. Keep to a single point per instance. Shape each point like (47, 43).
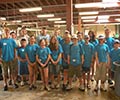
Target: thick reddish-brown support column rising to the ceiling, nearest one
(69, 15)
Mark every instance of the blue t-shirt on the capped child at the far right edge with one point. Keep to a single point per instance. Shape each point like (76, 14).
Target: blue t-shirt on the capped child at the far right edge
(115, 56)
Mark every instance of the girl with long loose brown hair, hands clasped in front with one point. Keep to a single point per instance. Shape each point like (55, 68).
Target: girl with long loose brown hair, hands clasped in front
(56, 61)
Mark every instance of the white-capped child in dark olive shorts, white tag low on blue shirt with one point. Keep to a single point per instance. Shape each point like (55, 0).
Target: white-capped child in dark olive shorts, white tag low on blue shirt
(75, 59)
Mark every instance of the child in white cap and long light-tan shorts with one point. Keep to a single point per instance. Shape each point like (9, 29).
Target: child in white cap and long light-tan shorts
(102, 62)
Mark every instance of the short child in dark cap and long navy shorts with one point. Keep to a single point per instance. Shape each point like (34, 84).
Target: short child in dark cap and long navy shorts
(23, 70)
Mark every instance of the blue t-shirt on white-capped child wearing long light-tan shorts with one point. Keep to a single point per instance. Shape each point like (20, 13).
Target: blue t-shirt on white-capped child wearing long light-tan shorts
(102, 51)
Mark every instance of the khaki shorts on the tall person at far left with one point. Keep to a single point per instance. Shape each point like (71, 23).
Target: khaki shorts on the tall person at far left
(11, 66)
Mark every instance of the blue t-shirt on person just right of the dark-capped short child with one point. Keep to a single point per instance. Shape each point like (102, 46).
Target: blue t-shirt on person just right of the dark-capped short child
(31, 52)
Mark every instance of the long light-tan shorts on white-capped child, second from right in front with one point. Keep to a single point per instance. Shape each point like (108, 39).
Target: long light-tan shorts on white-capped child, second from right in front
(101, 72)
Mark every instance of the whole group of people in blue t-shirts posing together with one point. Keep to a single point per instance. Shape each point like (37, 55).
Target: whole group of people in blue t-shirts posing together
(72, 55)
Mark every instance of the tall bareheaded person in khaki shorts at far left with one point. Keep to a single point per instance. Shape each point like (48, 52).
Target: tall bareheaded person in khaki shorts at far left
(8, 56)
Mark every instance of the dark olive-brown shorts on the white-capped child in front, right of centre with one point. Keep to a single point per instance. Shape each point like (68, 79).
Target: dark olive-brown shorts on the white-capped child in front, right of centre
(75, 70)
